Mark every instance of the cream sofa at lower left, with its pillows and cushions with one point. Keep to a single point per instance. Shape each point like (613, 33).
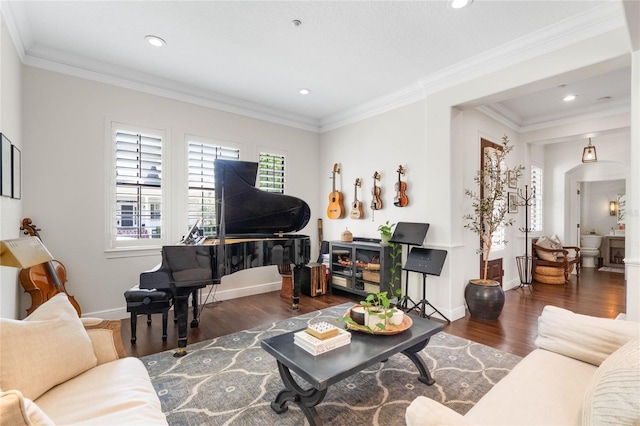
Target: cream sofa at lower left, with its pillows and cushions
(56, 368)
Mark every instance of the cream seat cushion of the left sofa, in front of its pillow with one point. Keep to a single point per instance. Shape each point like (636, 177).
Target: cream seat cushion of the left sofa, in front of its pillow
(120, 393)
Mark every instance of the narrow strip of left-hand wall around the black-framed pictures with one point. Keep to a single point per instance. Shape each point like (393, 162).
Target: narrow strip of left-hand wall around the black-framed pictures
(10, 124)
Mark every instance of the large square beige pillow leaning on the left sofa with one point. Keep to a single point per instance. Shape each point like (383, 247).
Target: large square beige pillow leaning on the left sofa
(47, 348)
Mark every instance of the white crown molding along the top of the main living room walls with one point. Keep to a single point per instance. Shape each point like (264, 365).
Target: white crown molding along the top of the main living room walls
(591, 23)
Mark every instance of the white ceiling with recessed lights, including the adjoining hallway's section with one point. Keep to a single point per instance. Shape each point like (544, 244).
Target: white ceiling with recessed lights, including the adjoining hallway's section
(354, 56)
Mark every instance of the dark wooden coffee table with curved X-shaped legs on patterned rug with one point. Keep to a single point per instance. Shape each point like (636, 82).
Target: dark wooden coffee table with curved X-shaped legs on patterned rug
(328, 368)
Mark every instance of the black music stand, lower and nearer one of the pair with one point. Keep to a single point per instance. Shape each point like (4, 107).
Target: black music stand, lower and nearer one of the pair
(426, 262)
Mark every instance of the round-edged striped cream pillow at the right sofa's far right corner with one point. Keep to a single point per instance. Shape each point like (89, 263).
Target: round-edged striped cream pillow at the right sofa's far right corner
(613, 395)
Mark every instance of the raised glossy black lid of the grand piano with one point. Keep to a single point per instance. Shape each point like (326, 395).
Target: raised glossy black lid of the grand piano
(249, 210)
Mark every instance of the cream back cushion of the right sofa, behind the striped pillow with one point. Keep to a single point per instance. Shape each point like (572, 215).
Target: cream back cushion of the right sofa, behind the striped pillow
(582, 337)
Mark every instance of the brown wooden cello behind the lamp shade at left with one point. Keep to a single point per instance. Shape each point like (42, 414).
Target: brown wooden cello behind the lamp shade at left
(43, 281)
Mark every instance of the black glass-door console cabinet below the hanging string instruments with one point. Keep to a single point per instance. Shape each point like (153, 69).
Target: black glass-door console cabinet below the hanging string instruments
(351, 270)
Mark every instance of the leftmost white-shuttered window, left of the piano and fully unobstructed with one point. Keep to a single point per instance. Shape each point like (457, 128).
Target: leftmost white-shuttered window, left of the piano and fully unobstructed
(138, 186)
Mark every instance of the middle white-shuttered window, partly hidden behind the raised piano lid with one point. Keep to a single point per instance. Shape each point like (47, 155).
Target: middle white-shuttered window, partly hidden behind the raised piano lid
(202, 201)
